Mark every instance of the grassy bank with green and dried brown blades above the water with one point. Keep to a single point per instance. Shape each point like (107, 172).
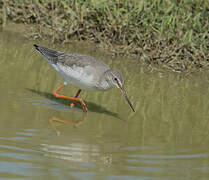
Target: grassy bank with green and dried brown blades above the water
(171, 33)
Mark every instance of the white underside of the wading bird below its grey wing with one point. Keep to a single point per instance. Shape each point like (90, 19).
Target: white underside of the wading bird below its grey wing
(76, 76)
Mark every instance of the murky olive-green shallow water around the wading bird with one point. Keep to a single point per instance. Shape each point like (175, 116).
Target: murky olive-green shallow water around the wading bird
(166, 138)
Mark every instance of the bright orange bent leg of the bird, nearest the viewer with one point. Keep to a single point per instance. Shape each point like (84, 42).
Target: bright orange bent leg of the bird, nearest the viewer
(71, 98)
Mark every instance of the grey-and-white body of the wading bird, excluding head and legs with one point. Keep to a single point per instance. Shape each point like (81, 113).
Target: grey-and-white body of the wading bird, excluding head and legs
(76, 69)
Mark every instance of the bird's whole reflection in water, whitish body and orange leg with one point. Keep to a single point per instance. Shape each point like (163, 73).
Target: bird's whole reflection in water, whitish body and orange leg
(75, 152)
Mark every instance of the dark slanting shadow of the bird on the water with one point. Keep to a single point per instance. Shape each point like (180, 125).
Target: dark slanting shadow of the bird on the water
(92, 107)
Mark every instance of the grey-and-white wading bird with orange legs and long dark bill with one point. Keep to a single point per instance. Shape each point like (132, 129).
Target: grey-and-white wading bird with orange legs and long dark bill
(84, 72)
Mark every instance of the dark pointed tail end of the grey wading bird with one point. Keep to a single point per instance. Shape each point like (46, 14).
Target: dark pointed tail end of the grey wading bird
(49, 54)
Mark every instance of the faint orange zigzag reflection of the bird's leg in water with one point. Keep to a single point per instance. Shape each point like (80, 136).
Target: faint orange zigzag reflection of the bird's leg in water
(75, 124)
